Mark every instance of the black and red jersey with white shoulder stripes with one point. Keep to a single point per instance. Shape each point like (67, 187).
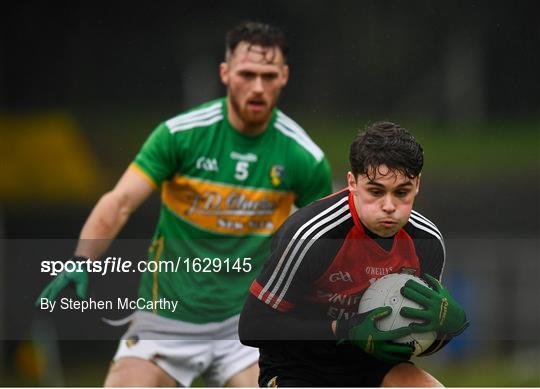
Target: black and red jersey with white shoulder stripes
(322, 260)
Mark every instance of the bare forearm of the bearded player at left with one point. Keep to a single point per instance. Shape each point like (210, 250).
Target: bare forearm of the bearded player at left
(111, 213)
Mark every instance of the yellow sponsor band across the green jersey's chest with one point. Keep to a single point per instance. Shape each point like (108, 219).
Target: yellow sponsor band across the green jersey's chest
(224, 208)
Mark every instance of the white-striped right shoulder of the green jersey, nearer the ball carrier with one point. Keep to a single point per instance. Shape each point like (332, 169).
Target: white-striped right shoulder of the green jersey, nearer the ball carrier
(296, 135)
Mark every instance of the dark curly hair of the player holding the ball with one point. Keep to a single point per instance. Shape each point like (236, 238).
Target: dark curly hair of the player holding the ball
(386, 143)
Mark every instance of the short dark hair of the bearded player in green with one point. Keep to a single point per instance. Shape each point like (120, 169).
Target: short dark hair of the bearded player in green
(256, 33)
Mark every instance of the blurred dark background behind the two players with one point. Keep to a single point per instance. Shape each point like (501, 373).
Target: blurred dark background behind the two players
(82, 85)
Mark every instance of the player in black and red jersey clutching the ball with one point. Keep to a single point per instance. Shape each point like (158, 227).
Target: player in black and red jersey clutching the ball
(303, 308)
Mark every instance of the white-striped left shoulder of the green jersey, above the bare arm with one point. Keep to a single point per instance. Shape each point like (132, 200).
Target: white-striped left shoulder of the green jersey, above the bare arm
(201, 116)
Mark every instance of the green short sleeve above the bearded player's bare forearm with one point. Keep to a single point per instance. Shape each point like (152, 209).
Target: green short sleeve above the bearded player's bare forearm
(158, 158)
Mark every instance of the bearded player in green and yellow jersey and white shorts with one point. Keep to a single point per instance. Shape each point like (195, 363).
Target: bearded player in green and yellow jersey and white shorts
(229, 171)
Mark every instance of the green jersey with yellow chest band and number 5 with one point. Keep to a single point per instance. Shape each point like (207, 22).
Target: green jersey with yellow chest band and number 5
(223, 195)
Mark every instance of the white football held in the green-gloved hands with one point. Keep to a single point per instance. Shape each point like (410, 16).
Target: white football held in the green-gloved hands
(385, 292)
